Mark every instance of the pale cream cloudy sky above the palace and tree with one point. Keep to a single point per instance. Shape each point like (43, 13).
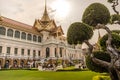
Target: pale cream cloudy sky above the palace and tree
(26, 11)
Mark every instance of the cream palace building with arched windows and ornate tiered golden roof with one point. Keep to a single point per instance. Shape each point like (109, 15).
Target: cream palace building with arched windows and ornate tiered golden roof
(20, 43)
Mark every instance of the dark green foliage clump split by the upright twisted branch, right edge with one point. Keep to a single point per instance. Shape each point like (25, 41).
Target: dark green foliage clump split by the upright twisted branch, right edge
(115, 41)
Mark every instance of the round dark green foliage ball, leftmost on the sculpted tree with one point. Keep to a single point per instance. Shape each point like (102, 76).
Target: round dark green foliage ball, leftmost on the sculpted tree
(78, 32)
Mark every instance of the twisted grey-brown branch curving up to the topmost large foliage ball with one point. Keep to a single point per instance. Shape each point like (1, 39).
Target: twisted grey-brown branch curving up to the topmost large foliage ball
(110, 49)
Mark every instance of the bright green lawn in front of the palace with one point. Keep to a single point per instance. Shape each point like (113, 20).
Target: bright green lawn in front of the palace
(45, 75)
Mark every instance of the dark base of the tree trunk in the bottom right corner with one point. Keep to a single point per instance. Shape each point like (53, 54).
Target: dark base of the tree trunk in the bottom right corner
(114, 74)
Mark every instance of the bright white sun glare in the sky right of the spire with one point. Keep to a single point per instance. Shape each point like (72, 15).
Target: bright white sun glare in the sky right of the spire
(61, 8)
